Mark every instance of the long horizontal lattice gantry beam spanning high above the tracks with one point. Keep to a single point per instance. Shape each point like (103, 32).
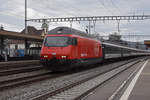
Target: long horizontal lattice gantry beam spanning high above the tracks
(93, 18)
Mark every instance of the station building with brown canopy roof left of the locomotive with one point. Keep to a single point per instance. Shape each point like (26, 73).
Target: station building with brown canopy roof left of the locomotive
(17, 43)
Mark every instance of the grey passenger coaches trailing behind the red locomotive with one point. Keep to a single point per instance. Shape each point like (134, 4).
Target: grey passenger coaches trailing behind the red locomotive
(117, 51)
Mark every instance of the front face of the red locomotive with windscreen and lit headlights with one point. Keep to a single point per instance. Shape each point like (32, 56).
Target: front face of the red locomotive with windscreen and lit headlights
(57, 51)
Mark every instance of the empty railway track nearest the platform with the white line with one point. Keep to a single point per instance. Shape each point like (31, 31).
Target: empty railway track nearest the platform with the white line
(79, 89)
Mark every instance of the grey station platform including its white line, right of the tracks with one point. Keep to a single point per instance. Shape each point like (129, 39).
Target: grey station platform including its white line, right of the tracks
(137, 89)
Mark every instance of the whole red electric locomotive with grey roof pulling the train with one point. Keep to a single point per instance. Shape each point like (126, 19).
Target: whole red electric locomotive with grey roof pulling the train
(64, 48)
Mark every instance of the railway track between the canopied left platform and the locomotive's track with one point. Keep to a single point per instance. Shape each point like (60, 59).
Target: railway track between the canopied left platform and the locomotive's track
(12, 67)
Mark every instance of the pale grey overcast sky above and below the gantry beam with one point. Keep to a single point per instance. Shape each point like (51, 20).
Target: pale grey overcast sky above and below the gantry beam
(12, 14)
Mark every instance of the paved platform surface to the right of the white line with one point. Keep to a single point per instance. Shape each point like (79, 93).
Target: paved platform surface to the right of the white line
(141, 90)
